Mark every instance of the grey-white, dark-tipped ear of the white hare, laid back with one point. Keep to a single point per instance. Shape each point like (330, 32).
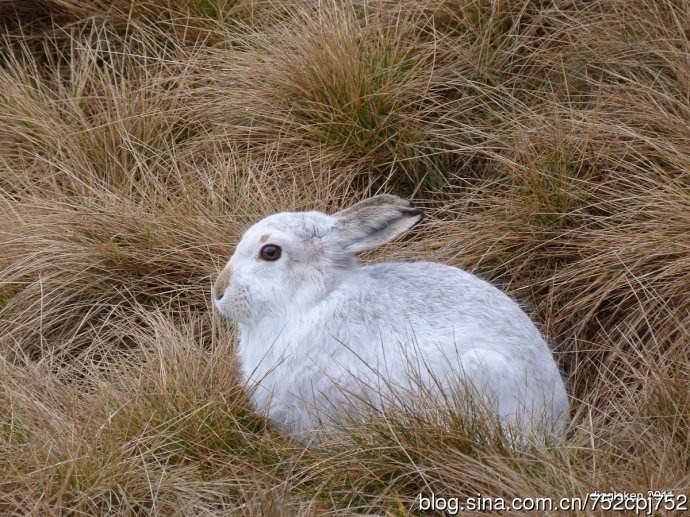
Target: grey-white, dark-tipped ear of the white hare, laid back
(374, 221)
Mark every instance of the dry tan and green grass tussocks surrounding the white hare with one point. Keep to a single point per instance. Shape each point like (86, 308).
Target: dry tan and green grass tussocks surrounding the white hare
(547, 140)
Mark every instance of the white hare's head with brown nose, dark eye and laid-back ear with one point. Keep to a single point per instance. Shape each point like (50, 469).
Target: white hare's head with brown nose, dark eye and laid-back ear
(291, 260)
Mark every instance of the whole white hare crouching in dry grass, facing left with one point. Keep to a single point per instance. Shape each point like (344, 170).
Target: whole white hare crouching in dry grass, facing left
(319, 332)
